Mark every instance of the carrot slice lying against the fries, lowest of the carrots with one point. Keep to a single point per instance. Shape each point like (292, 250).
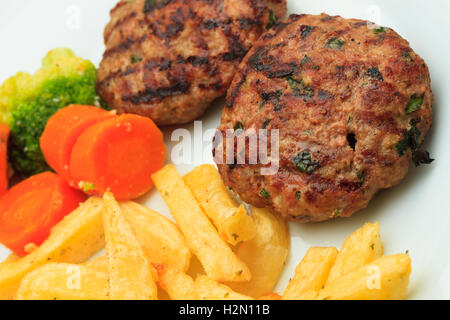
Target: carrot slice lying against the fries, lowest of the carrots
(31, 208)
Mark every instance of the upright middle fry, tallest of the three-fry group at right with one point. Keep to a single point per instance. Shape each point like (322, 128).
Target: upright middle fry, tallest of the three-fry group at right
(358, 250)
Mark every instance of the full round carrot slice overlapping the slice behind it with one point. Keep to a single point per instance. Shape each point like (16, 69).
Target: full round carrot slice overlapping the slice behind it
(120, 155)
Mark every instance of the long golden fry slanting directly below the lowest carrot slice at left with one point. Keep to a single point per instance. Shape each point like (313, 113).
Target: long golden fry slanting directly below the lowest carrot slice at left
(74, 240)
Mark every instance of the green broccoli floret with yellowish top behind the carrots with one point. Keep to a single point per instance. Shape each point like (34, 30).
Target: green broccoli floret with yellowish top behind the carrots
(28, 101)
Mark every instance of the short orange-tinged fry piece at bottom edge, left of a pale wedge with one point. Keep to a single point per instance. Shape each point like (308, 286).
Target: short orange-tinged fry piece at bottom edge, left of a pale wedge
(177, 284)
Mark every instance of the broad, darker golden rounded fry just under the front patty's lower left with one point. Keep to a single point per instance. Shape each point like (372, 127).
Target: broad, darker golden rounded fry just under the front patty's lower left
(265, 254)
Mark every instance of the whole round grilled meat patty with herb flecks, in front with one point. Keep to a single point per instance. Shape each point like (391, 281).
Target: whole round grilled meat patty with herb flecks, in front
(352, 103)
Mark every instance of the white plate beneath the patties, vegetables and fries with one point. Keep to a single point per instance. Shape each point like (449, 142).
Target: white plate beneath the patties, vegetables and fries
(413, 216)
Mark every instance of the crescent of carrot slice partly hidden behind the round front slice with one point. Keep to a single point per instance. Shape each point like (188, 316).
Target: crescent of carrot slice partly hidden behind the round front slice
(62, 131)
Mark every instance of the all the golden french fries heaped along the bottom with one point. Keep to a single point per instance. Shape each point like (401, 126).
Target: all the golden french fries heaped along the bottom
(216, 250)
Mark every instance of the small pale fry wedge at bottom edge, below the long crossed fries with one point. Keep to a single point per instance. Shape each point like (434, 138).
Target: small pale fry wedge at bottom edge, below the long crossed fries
(208, 289)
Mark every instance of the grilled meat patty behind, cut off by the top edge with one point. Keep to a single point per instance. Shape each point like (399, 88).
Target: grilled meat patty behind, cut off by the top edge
(169, 59)
